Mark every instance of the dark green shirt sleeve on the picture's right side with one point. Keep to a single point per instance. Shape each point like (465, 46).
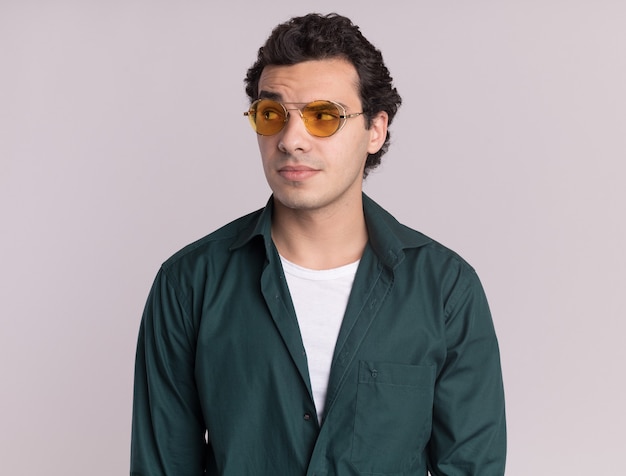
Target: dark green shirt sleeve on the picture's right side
(469, 430)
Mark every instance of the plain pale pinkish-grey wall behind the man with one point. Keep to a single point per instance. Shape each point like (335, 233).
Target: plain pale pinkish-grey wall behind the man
(122, 139)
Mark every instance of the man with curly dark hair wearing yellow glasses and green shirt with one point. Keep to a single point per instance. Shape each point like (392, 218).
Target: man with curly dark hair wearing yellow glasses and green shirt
(318, 336)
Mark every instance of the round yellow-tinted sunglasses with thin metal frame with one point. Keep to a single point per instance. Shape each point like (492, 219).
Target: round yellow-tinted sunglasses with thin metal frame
(321, 118)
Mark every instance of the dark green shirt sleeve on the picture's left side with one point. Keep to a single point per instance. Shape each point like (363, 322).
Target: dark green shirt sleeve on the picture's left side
(168, 432)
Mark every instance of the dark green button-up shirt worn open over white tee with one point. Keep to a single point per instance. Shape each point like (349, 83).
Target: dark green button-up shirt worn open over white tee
(221, 378)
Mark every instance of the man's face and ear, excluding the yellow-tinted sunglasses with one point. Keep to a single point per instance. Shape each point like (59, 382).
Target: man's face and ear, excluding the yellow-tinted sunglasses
(317, 173)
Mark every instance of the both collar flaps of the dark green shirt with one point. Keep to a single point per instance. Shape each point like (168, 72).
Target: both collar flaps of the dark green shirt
(387, 237)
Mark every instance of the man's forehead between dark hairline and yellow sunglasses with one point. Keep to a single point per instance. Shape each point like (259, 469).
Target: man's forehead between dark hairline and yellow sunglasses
(335, 79)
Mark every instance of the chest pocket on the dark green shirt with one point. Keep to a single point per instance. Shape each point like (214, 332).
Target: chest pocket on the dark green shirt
(393, 416)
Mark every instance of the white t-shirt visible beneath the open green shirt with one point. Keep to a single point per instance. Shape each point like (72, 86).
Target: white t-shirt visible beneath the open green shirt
(320, 298)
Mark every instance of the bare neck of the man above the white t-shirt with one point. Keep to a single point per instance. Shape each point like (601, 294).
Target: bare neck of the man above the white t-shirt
(320, 239)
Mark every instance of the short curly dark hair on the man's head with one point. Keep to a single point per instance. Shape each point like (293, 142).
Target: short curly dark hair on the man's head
(317, 37)
